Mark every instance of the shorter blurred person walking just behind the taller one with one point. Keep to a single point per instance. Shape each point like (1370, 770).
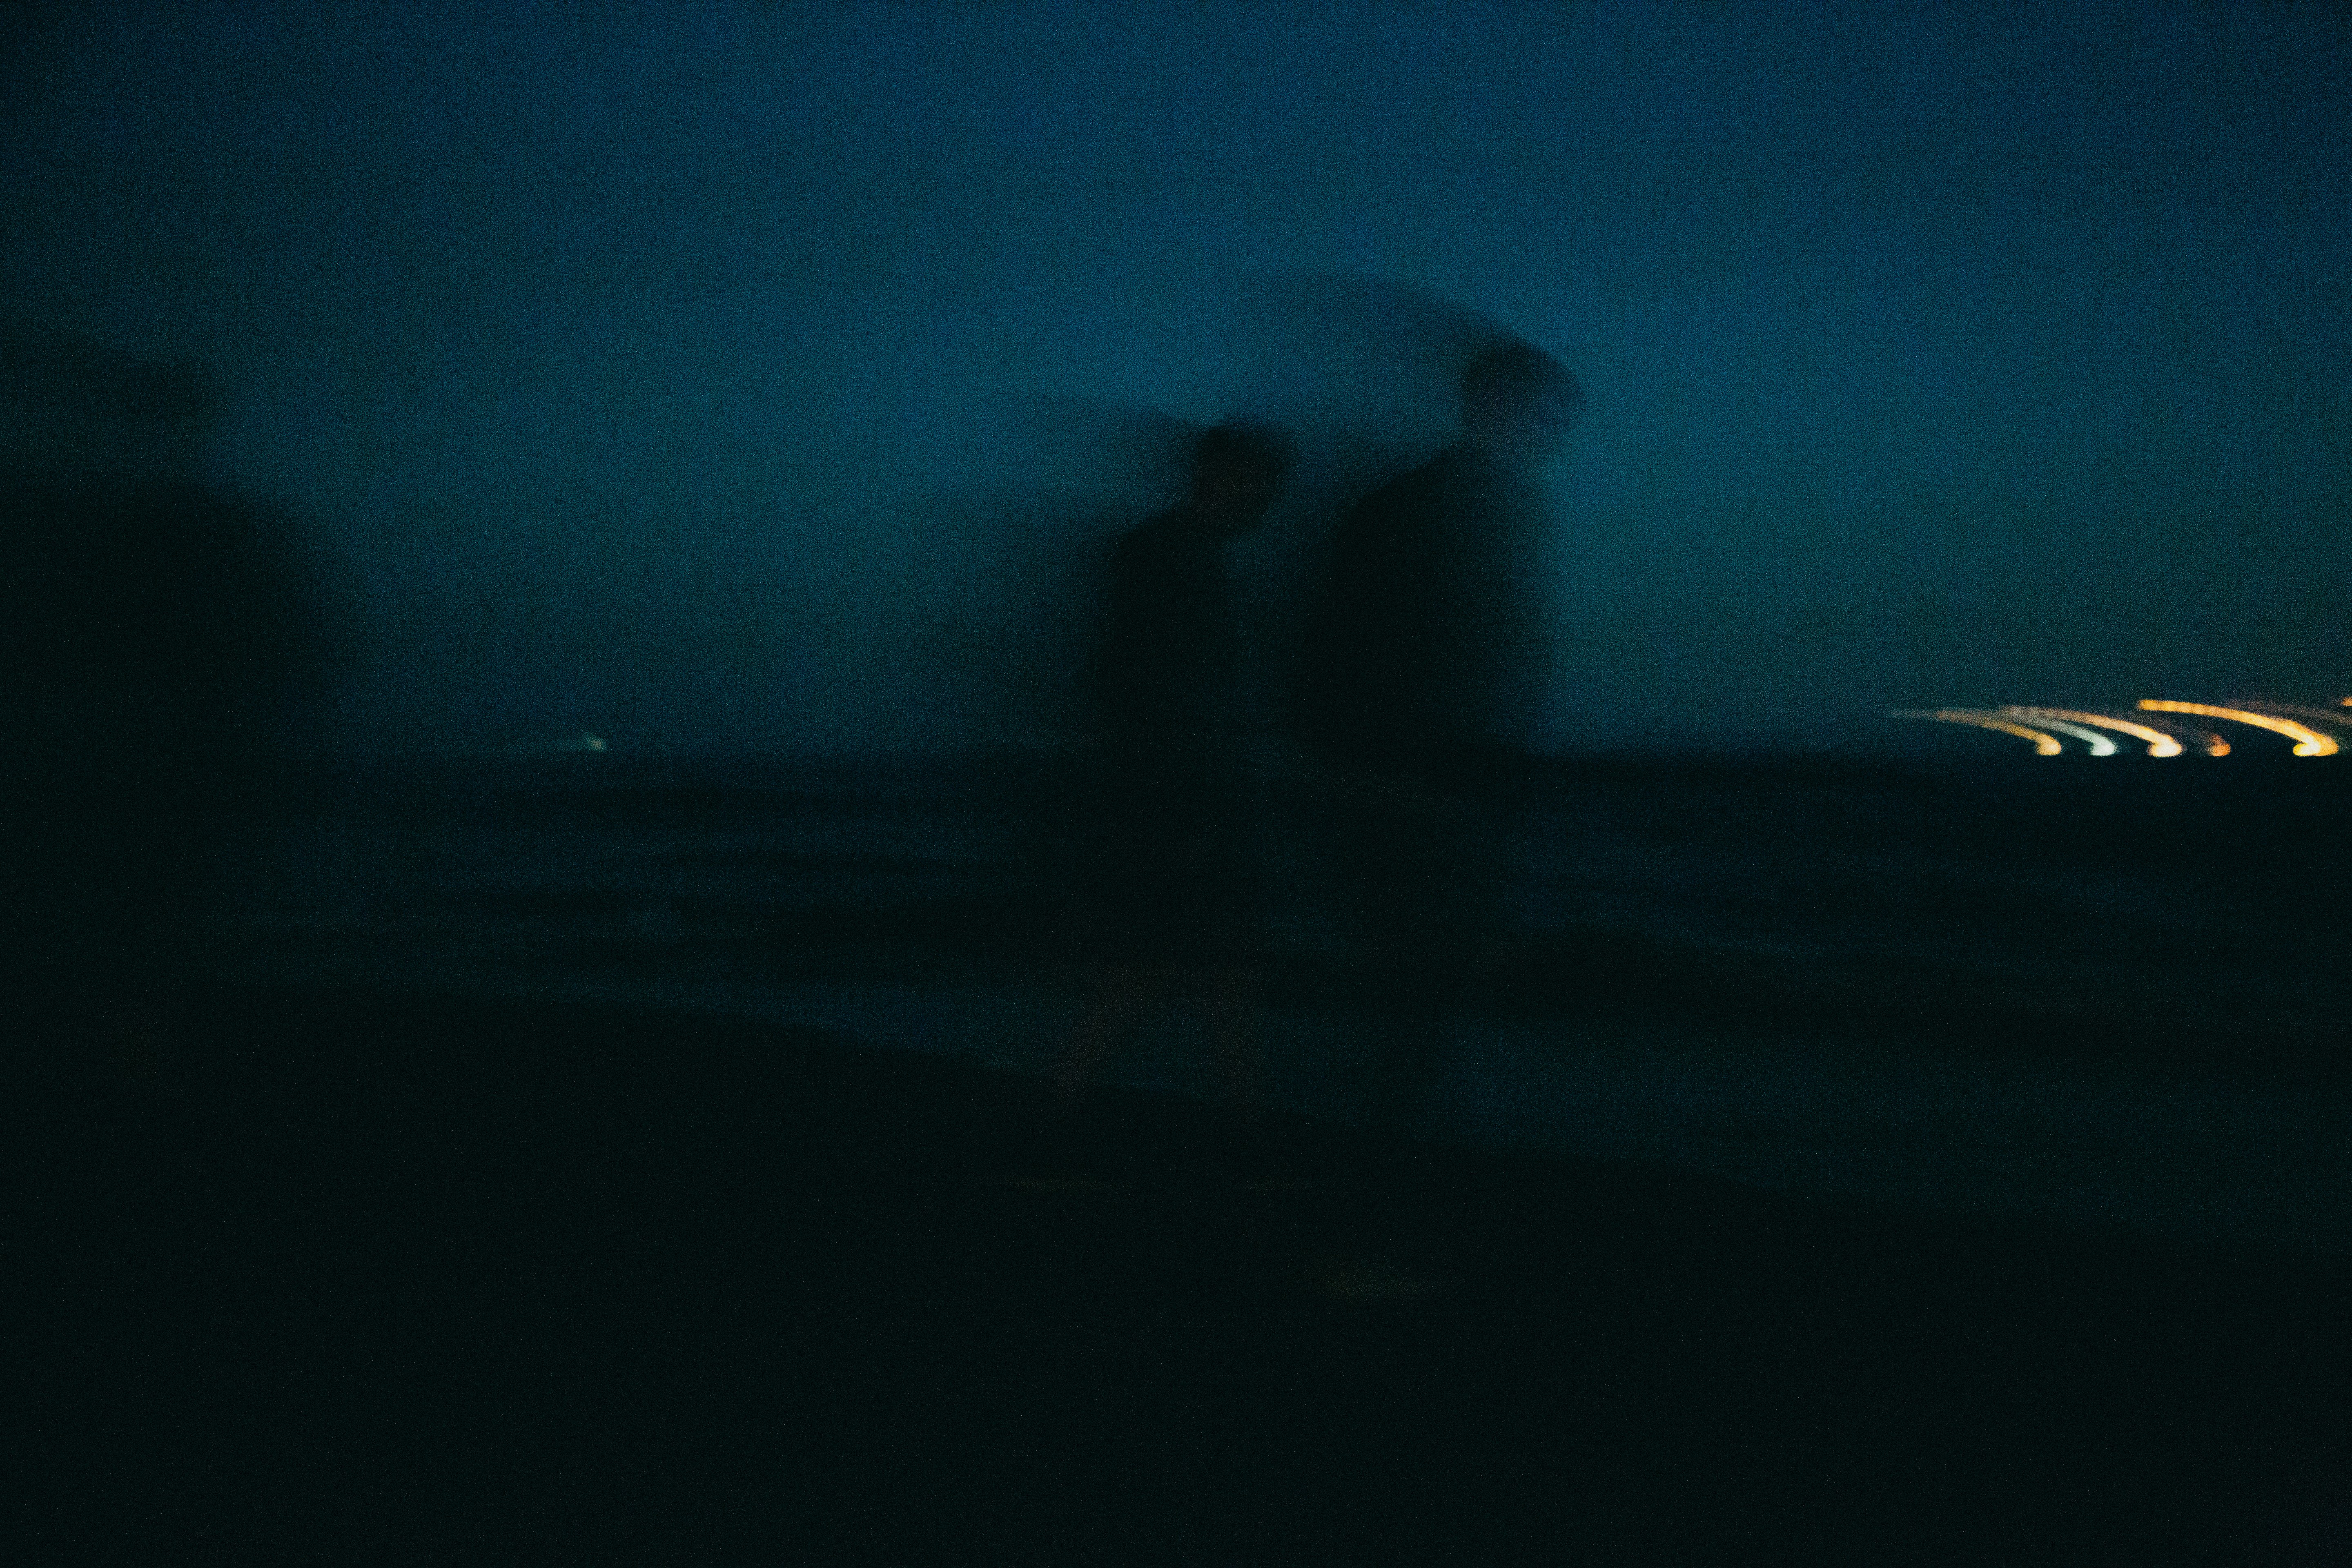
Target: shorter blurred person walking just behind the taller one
(1170, 869)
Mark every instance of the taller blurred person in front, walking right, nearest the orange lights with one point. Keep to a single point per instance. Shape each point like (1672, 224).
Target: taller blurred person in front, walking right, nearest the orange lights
(1422, 690)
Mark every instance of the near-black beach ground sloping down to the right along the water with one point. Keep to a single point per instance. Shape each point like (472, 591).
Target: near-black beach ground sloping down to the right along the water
(413, 1282)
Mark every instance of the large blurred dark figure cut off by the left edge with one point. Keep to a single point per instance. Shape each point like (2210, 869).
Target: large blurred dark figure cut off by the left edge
(161, 652)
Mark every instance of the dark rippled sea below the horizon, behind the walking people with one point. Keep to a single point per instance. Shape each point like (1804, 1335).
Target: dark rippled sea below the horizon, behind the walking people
(2102, 991)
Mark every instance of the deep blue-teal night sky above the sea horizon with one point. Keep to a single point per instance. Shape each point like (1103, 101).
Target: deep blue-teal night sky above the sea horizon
(754, 375)
